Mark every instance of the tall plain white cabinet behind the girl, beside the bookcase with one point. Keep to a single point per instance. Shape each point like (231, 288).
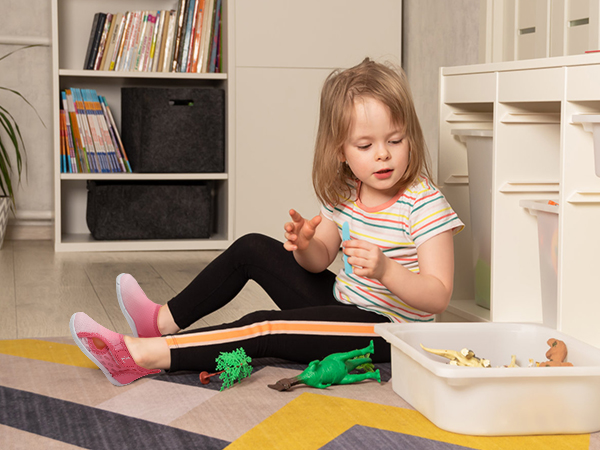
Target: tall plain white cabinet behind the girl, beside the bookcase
(284, 51)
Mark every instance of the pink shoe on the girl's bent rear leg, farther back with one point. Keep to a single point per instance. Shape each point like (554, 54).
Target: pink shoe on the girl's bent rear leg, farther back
(141, 312)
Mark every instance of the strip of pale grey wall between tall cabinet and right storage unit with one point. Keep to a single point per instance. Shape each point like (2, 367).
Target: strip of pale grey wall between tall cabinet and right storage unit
(437, 33)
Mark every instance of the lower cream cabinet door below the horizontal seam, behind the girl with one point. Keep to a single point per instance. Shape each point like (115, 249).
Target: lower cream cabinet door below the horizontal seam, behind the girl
(276, 123)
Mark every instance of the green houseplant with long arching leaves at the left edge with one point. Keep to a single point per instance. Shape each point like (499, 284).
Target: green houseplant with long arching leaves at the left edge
(12, 155)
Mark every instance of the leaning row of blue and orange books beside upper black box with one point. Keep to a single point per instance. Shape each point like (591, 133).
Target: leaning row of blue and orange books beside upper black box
(90, 141)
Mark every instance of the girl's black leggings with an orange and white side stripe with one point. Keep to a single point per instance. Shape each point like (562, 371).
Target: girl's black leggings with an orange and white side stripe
(300, 295)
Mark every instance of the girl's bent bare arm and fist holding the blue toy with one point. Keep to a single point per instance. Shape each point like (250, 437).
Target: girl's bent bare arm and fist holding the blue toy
(429, 291)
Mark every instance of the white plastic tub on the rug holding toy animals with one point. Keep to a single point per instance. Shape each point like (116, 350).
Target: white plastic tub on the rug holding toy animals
(495, 401)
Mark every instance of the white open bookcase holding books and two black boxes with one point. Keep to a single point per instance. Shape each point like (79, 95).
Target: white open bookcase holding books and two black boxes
(71, 24)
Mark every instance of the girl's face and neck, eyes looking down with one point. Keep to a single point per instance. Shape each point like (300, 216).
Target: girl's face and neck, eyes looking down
(376, 150)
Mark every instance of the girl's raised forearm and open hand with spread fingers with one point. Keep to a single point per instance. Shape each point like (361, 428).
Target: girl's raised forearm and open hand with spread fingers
(315, 242)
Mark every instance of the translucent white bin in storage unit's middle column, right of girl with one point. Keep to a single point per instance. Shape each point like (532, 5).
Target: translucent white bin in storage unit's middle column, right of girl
(547, 218)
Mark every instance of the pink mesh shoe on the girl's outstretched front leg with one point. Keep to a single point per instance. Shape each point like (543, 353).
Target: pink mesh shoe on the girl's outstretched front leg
(114, 360)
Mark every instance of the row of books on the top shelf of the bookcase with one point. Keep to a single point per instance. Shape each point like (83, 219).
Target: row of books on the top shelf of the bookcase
(184, 40)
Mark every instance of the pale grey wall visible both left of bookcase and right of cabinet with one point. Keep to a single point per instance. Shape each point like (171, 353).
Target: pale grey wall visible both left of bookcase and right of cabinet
(436, 33)
